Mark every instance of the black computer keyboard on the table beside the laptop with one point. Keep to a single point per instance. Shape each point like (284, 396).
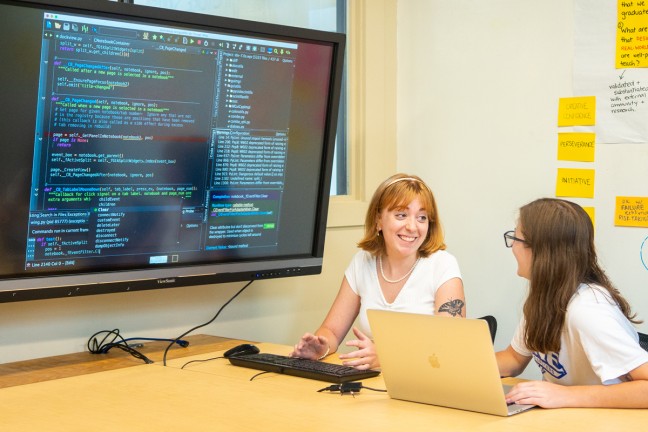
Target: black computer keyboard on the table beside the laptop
(303, 368)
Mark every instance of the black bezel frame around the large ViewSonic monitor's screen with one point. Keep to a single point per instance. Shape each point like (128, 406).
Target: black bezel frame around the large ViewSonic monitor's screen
(104, 282)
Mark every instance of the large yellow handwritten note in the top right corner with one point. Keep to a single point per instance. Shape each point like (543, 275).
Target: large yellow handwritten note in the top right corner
(632, 34)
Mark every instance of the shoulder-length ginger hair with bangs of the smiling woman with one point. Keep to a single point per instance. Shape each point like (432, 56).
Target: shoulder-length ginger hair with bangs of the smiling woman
(394, 193)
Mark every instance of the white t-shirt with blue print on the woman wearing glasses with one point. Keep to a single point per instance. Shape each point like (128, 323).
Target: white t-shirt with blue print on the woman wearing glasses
(598, 344)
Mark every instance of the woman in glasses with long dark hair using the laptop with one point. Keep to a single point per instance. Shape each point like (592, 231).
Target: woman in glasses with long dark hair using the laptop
(577, 326)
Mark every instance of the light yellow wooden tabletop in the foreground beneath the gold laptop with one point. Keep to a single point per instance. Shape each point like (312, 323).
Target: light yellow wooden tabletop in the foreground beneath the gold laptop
(218, 396)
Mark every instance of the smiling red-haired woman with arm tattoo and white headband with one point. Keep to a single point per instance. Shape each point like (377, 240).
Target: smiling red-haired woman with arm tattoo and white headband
(402, 266)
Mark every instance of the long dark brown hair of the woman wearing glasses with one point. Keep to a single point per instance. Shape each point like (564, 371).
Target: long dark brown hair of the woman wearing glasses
(561, 237)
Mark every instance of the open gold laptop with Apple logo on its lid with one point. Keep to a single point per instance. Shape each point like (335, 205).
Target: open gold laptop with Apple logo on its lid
(441, 361)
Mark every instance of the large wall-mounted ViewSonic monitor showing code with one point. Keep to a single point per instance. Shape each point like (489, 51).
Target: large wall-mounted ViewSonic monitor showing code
(145, 148)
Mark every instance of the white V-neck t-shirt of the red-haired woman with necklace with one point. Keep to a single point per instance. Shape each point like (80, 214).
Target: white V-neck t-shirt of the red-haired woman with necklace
(416, 296)
